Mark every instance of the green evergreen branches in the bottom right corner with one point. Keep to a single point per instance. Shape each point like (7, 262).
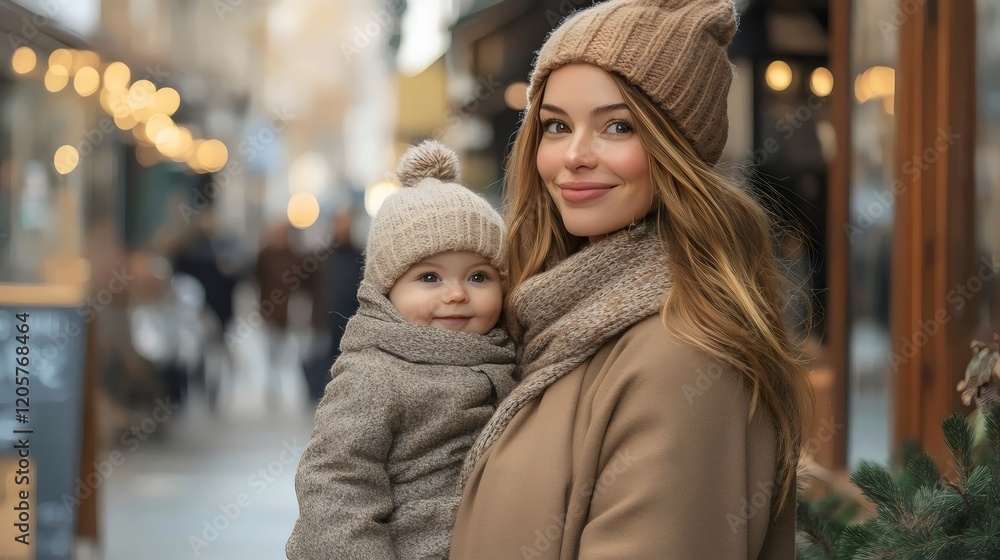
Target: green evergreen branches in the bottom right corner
(921, 514)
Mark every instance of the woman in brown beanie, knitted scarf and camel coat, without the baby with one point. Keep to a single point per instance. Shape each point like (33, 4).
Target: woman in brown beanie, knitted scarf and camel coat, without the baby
(661, 398)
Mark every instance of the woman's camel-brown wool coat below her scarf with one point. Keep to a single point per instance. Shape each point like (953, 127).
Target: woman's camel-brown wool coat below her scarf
(642, 452)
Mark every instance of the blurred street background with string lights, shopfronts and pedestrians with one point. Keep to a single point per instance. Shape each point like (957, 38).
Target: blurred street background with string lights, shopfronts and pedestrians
(186, 187)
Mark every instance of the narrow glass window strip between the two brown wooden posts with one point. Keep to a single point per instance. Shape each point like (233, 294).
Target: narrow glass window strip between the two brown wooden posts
(874, 56)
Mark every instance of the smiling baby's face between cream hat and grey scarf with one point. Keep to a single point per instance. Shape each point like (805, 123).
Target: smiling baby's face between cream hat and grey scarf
(457, 290)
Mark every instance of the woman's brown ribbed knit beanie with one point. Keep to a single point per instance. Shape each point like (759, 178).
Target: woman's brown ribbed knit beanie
(672, 50)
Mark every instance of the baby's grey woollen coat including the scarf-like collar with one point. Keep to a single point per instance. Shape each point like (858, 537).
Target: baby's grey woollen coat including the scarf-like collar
(377, 479)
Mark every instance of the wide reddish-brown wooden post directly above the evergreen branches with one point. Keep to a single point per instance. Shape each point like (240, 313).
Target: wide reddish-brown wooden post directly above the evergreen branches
(934, 241)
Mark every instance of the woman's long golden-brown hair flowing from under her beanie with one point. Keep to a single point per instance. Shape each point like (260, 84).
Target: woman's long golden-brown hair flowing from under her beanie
(726, 296)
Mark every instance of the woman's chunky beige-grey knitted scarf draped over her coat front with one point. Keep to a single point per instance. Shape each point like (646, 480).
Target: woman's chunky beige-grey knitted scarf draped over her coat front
(568, 312)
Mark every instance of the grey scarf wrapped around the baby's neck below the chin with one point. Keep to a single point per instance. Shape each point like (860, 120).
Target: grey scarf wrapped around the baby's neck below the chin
(378, 324)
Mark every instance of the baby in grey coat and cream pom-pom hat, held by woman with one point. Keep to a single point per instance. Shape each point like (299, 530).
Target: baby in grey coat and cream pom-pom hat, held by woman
(423, 366)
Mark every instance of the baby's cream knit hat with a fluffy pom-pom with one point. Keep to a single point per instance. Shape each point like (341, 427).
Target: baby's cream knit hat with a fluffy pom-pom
(432, 214)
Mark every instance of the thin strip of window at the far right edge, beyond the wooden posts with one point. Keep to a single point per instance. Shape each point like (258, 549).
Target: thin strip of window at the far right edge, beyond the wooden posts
(987, 163)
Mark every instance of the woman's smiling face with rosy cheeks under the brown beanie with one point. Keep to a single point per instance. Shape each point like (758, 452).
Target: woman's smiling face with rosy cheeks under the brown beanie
(590, 158)
